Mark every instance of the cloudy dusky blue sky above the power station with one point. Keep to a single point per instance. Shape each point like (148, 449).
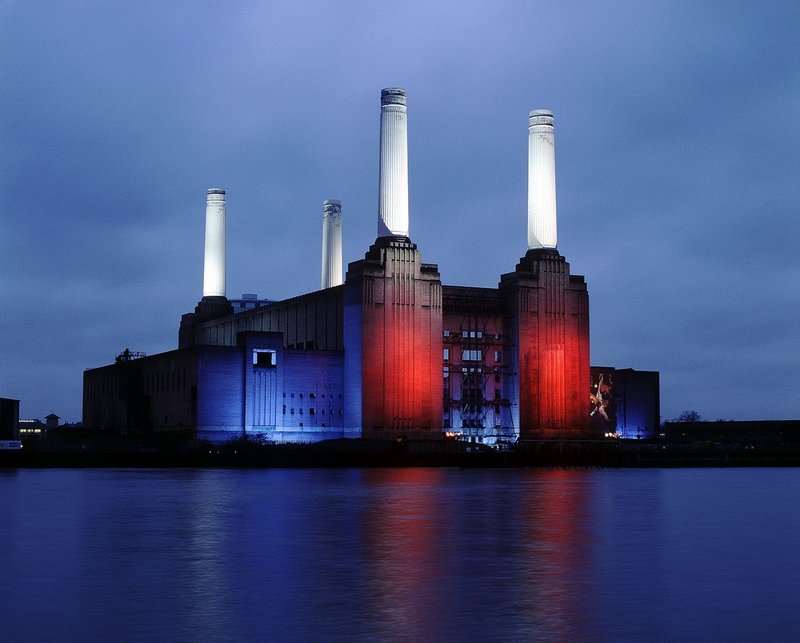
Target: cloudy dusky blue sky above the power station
(677, 153)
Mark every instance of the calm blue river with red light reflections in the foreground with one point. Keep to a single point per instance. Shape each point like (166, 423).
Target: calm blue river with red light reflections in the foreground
(400, 555)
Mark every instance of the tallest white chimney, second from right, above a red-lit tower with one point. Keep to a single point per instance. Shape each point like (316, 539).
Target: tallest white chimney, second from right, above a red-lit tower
(393, 188)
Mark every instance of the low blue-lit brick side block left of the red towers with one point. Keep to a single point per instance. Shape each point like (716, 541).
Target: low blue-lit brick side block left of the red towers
(217, 393)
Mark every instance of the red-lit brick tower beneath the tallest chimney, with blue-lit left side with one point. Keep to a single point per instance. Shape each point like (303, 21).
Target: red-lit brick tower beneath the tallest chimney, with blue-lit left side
(393, 329)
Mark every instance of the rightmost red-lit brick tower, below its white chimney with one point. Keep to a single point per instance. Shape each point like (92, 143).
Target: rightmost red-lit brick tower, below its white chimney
(548, 327)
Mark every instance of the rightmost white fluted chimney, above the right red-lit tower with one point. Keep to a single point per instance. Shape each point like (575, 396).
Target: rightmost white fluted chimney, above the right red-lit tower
(542, 231)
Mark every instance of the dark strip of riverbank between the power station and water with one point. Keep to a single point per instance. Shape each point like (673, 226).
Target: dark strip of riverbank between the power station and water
(84, 451)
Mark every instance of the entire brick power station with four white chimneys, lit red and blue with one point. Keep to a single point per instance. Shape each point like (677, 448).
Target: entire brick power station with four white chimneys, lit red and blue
(388, 351)
